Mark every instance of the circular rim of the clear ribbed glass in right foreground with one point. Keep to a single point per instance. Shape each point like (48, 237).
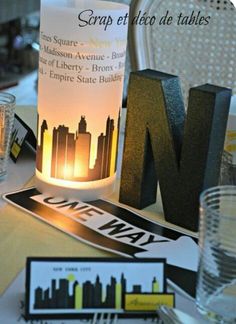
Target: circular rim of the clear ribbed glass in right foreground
(210, 192)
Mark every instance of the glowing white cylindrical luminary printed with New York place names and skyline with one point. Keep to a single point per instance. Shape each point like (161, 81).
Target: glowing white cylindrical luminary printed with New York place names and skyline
(81, 71)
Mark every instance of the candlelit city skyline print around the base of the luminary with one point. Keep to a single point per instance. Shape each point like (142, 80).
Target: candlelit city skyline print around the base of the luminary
(79, 155)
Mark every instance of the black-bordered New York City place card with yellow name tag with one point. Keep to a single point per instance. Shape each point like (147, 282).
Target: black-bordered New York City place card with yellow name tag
(69, 288)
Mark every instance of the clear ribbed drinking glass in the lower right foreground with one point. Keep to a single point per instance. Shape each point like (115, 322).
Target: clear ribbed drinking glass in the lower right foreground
(216, 285)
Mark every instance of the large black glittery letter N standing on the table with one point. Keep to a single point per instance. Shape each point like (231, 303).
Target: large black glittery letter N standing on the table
(183, 154)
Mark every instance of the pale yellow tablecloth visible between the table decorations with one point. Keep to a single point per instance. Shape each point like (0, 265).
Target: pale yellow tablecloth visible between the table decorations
(22, 235)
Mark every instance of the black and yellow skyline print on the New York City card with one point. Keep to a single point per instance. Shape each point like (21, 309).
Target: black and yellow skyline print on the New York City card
(89, 294)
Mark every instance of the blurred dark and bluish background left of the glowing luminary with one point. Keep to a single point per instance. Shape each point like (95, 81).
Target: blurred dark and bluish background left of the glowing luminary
(19, 36)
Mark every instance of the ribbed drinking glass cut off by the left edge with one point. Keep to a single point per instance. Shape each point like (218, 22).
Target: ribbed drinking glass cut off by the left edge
(7, 105)
